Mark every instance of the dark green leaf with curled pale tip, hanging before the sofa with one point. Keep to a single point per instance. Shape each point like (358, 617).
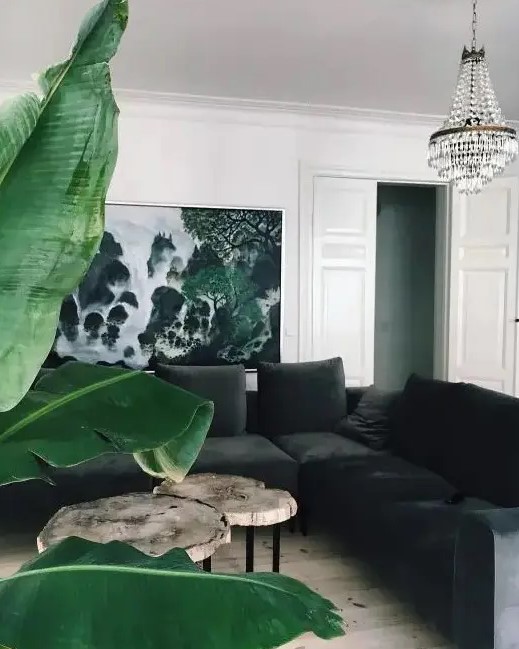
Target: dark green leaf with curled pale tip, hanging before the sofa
(81, 411)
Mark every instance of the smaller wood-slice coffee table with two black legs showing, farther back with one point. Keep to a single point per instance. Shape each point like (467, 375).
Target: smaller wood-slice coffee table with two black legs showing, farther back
(244, 501)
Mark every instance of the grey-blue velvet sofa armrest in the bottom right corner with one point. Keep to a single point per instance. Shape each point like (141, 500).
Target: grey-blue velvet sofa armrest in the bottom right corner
(486, 581)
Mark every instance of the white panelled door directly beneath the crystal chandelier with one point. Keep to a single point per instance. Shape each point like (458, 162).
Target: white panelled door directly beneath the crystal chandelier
(482, 313)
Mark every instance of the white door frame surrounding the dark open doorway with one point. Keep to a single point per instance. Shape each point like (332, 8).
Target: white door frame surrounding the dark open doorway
(307, 173)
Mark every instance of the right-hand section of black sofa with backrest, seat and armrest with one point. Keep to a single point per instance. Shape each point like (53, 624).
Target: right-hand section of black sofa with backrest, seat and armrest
(436, 513)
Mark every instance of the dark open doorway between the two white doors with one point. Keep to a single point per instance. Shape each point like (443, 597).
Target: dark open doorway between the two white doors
(405, 283)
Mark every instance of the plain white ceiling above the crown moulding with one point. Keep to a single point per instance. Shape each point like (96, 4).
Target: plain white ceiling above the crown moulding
(398, 55)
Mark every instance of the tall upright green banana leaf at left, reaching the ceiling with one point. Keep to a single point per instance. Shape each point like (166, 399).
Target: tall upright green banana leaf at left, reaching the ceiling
(57, 156)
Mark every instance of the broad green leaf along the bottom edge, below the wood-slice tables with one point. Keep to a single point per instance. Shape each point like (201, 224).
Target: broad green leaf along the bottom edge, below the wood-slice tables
(81, 595)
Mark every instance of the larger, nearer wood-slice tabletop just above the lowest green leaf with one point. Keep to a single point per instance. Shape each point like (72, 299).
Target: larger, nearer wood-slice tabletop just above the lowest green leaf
(152, 524)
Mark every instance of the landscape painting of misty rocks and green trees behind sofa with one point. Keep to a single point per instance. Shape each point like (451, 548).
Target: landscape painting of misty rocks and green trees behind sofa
(178, 285)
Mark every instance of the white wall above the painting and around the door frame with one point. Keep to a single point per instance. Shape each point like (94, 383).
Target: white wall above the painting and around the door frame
(193, 152)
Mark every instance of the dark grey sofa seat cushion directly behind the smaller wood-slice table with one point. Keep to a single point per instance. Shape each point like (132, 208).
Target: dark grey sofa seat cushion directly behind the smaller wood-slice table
(251, 456)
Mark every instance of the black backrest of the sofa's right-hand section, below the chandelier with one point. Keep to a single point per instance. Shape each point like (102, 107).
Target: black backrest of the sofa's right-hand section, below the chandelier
(466, 434)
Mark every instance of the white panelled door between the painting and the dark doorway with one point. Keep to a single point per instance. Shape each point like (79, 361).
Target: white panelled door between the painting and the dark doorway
(342, 303)
